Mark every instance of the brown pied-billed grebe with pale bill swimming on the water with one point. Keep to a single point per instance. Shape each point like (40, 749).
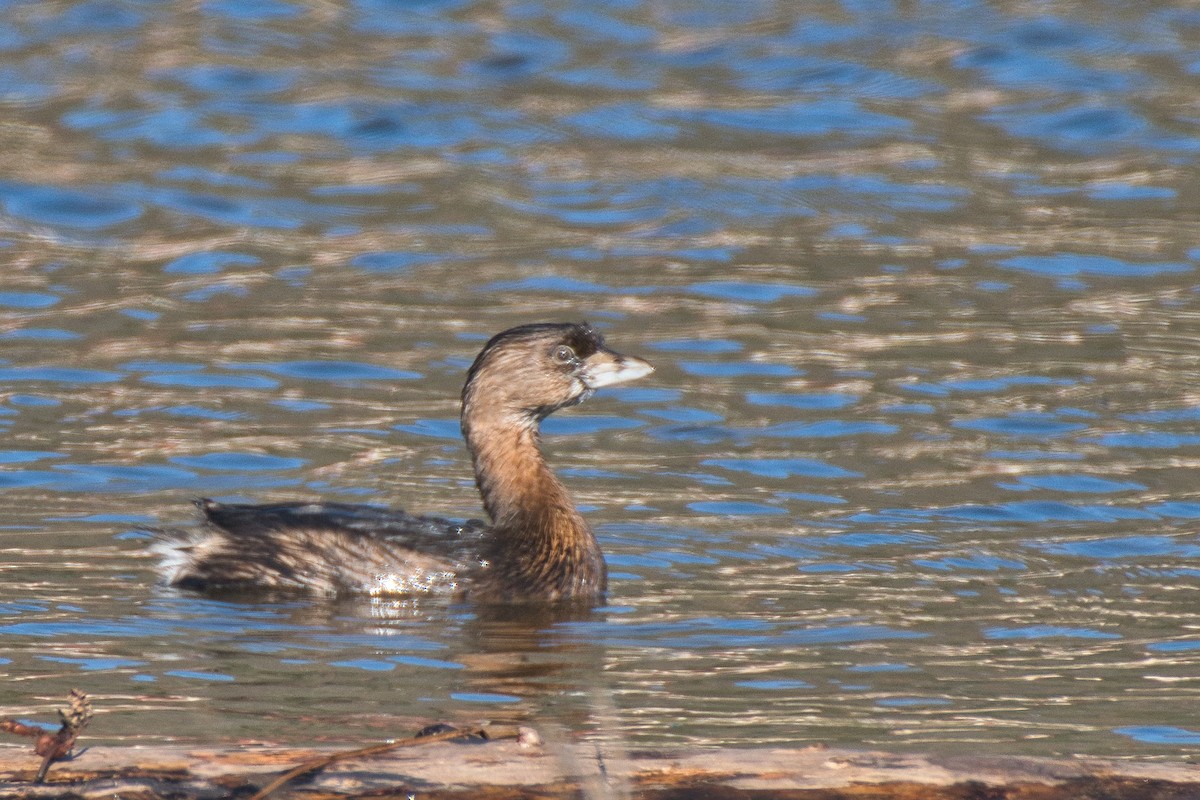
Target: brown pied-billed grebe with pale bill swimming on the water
(537, 549)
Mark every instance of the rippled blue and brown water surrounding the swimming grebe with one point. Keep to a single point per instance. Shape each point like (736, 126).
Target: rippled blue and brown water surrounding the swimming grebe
(920, 280)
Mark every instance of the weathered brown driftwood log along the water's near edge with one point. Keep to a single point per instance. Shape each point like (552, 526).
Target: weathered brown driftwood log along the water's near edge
(525, 768)
